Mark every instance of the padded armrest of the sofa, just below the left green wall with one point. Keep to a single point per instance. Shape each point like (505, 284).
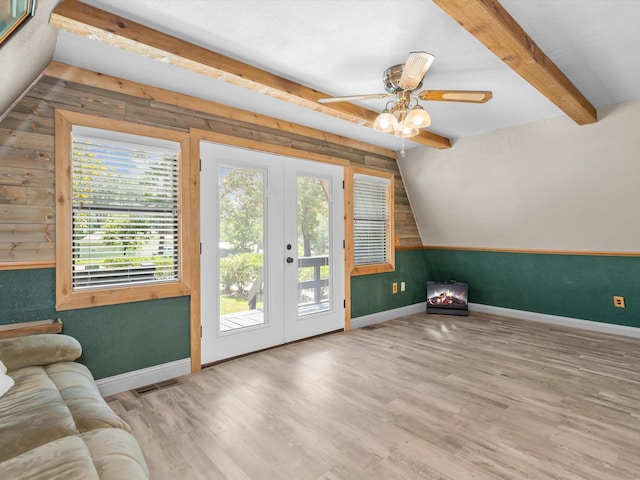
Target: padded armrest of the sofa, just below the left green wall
(36, 350)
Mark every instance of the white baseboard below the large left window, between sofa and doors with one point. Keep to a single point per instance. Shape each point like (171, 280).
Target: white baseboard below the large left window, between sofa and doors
(146, 376)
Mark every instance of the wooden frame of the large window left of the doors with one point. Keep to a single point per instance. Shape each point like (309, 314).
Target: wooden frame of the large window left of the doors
(66, 298)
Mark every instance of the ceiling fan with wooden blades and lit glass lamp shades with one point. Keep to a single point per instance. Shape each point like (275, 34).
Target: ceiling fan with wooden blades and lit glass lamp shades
(400, 117)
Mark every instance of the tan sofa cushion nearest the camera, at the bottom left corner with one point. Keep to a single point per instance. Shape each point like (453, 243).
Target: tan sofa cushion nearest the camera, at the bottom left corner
(105, 454)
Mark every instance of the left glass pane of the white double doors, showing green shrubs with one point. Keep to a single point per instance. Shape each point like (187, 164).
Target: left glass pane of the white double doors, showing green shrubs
(241, 247)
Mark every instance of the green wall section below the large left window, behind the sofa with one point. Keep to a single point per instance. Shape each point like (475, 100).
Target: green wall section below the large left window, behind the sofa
(115, 339)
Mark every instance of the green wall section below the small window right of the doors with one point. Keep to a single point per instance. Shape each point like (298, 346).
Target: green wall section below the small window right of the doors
(373, 293)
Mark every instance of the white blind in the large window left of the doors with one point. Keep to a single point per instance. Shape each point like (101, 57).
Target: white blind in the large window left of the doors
(124, 209)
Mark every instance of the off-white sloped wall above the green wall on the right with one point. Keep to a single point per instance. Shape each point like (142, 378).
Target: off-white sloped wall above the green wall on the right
(546, 185)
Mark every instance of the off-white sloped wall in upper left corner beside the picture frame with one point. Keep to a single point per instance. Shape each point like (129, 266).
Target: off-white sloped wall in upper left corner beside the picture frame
(25, 54)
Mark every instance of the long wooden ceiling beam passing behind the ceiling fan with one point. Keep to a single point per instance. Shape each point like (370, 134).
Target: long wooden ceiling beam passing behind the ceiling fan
(88, 21)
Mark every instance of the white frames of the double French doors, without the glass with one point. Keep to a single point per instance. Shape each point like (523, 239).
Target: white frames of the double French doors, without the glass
(273, 332)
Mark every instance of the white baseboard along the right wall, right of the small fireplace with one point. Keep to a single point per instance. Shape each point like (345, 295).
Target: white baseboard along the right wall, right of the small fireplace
(601, 327)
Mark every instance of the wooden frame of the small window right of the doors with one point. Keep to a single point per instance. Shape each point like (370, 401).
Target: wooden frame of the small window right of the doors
(388, 266)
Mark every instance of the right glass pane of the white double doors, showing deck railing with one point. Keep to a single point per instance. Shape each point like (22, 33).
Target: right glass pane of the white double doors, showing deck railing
(313, 245)
